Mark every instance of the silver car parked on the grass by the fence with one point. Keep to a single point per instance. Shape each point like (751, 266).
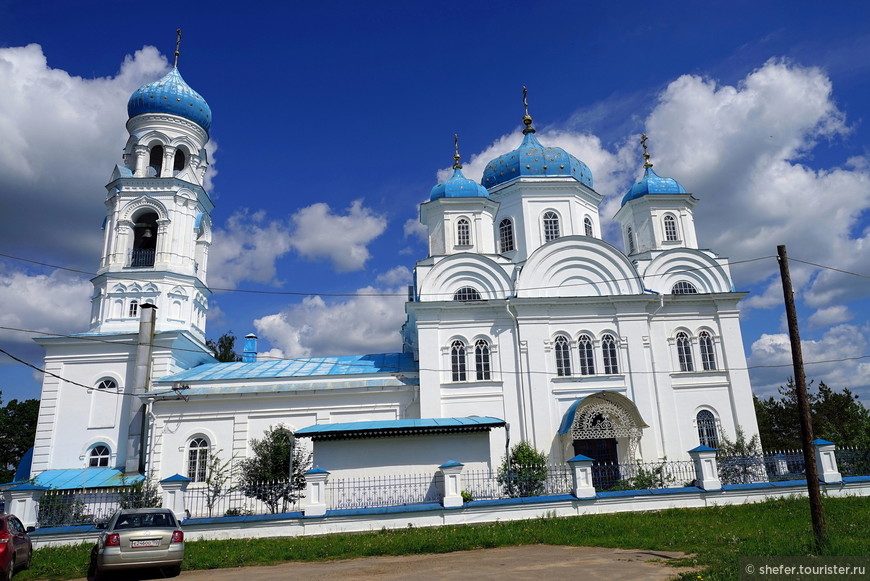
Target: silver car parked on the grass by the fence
(137, 538)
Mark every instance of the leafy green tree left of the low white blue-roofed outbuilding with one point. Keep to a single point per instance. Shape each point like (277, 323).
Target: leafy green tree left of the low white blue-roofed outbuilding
(269, 476)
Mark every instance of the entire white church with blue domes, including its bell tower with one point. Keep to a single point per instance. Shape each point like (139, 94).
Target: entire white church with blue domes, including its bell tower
(523, 324)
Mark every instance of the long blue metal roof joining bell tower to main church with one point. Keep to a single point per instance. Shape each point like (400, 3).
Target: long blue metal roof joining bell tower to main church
(302, 367)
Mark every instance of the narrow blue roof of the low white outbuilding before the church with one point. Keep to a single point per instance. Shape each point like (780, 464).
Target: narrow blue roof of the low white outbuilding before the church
(407, 427)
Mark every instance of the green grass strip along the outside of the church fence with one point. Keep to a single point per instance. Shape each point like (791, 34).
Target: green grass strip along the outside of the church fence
(715, 537)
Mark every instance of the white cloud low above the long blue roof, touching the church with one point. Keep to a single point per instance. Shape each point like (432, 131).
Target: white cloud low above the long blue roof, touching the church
(358, 325)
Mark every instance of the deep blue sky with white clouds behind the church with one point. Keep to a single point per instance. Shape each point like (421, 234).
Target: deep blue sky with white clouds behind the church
(333, 121)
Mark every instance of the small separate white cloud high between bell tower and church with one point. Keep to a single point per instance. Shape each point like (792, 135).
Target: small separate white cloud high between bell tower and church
(319, 233)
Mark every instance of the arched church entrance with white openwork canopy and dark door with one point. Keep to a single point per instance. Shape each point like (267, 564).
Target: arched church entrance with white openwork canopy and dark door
(606, 427)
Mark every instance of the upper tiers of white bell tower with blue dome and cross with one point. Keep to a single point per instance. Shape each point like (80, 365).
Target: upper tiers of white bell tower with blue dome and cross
(158, 224)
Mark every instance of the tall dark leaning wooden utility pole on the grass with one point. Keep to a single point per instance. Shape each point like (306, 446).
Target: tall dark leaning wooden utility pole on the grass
(800, 379)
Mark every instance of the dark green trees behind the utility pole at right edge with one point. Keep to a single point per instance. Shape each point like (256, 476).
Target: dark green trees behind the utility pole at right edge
(837, 416)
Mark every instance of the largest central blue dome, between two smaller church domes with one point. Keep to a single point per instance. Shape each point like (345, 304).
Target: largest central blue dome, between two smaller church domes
(533, 159)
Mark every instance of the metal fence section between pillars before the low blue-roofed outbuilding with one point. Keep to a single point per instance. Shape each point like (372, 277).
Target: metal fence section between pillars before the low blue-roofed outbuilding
(384, 490)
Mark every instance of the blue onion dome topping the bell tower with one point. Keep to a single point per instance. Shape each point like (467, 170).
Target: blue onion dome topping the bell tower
(170, 95)
